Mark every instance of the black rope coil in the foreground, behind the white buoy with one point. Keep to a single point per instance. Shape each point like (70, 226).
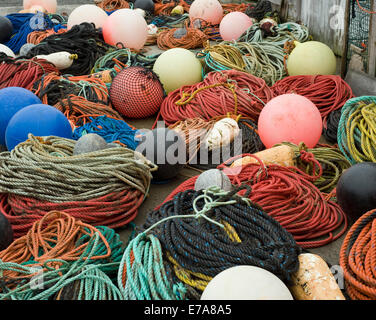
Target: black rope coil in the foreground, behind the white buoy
(203, 247)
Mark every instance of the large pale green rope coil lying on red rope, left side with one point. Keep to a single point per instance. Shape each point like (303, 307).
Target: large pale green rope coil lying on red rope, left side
(105, 187)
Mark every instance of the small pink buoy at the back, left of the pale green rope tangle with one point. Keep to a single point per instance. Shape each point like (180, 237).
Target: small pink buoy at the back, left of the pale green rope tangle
(233, 25)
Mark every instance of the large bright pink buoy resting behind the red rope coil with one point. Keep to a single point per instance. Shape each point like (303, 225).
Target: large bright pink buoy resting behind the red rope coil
(290, 118)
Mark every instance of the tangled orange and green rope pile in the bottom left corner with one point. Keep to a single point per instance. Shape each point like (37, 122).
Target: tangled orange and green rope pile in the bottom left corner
(75, 261)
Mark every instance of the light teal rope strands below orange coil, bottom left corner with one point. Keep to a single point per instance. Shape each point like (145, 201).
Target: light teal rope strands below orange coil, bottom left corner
(91, 280)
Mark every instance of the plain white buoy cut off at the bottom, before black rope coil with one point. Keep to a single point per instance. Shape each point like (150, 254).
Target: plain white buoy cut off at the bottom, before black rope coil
(246, 283)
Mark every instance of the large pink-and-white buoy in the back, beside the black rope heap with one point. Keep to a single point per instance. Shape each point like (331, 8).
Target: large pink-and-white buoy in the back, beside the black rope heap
(127, 27)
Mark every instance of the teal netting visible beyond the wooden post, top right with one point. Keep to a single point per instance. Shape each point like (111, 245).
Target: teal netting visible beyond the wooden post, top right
(359, 27)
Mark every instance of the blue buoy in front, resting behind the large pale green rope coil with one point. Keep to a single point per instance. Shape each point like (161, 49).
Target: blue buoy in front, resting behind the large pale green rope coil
(38, 119)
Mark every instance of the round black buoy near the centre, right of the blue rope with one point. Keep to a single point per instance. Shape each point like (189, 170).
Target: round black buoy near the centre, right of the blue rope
(165, 148)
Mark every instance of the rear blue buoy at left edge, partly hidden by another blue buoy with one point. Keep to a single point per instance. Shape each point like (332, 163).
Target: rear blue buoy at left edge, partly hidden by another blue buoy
(12, 100)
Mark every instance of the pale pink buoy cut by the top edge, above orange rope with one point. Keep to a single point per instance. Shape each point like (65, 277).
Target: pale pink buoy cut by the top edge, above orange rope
(210, 11)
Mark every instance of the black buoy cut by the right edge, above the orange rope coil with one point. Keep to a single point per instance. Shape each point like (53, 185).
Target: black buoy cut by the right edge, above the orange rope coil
(356, 190)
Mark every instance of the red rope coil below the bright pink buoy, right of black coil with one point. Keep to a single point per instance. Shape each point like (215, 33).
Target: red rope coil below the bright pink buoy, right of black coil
(289, 196)
